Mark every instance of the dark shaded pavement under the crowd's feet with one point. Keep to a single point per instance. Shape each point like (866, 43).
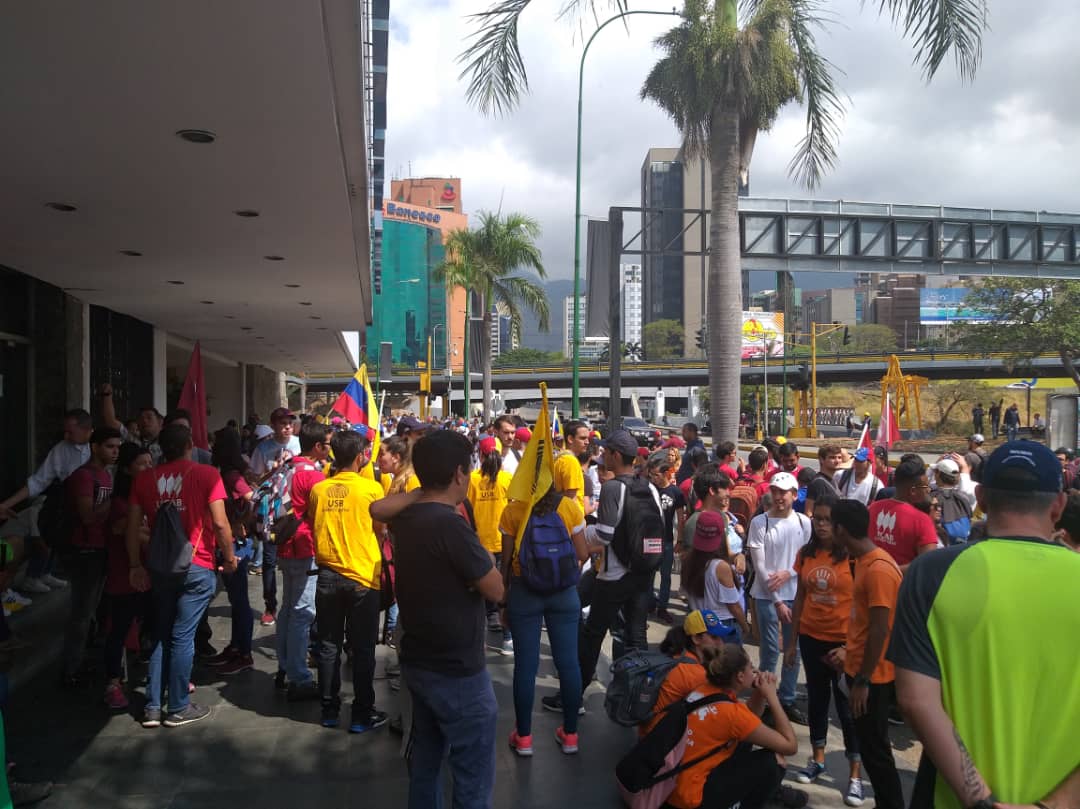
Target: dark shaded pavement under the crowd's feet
(258, 750)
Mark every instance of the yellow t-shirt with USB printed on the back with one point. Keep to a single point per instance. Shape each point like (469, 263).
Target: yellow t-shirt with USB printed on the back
(345, 537)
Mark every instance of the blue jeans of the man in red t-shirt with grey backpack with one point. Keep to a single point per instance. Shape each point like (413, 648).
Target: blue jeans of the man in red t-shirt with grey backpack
(180, 603)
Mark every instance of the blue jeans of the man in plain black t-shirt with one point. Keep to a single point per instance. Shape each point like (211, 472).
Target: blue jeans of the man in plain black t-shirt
(453, 717)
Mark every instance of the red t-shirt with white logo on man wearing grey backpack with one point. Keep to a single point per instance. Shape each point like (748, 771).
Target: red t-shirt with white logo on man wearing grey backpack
(192, 488)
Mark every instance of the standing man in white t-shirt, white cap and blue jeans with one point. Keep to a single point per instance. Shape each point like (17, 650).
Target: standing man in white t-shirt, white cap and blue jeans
(775, 541)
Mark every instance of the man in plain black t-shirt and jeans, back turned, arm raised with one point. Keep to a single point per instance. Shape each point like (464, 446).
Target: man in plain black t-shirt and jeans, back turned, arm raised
(444, 575)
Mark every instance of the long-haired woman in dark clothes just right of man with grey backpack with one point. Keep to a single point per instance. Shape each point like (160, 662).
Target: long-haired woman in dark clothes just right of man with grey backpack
(236, 657)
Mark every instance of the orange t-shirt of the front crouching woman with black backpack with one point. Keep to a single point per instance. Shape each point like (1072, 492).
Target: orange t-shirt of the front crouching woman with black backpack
(720, 724)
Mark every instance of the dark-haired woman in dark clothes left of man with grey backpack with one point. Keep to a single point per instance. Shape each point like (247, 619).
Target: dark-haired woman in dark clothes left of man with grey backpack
(128, 604)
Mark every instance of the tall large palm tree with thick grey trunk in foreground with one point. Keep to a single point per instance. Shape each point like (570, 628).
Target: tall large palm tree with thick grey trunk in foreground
(723, 84)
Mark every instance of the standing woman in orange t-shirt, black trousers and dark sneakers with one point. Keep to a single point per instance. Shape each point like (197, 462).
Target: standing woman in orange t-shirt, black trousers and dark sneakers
(820, 622)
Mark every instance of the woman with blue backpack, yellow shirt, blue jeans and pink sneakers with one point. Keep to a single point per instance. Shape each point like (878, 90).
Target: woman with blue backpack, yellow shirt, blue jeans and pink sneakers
(560, 612)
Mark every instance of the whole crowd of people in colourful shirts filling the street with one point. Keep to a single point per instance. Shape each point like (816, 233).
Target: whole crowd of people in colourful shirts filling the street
(895, 588)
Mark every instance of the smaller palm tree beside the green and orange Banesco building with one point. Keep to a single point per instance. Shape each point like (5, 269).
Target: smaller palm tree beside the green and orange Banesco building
(482, 262)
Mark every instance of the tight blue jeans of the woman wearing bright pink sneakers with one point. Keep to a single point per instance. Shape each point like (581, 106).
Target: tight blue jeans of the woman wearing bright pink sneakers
(562, 613)
